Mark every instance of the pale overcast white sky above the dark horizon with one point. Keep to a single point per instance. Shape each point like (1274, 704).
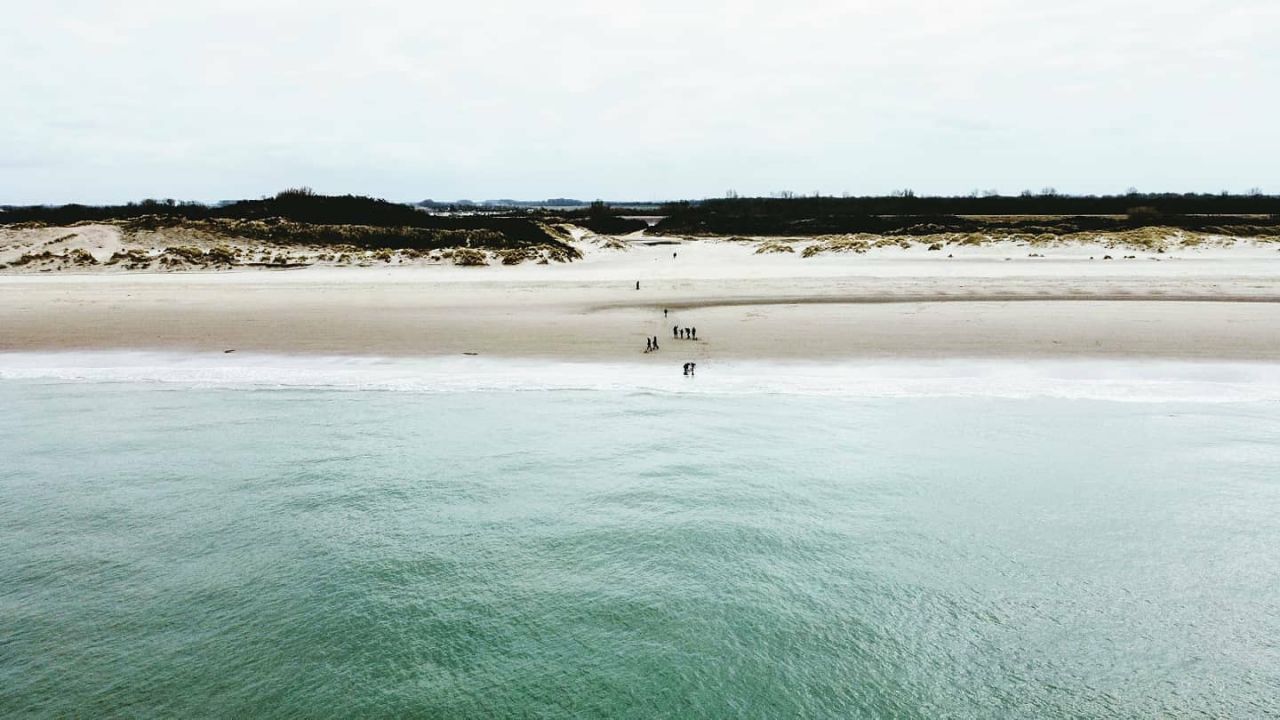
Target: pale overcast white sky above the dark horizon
(409, 101)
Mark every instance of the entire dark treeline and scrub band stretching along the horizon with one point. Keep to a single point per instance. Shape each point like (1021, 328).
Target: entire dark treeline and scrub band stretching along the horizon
(903, 213)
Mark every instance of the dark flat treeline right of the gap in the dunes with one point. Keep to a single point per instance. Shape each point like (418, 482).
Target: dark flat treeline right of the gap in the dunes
(911, 215)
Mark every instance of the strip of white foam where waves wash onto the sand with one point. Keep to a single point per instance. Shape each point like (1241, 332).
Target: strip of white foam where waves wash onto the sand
(1086, 380)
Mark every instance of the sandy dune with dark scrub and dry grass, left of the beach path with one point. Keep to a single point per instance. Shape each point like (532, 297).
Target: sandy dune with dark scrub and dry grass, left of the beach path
(291, 230)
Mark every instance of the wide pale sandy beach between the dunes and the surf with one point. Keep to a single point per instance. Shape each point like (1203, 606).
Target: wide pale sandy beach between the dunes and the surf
(990, 302)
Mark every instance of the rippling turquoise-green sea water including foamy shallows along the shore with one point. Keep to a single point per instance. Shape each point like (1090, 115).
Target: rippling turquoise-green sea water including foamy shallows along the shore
(194, 549)
